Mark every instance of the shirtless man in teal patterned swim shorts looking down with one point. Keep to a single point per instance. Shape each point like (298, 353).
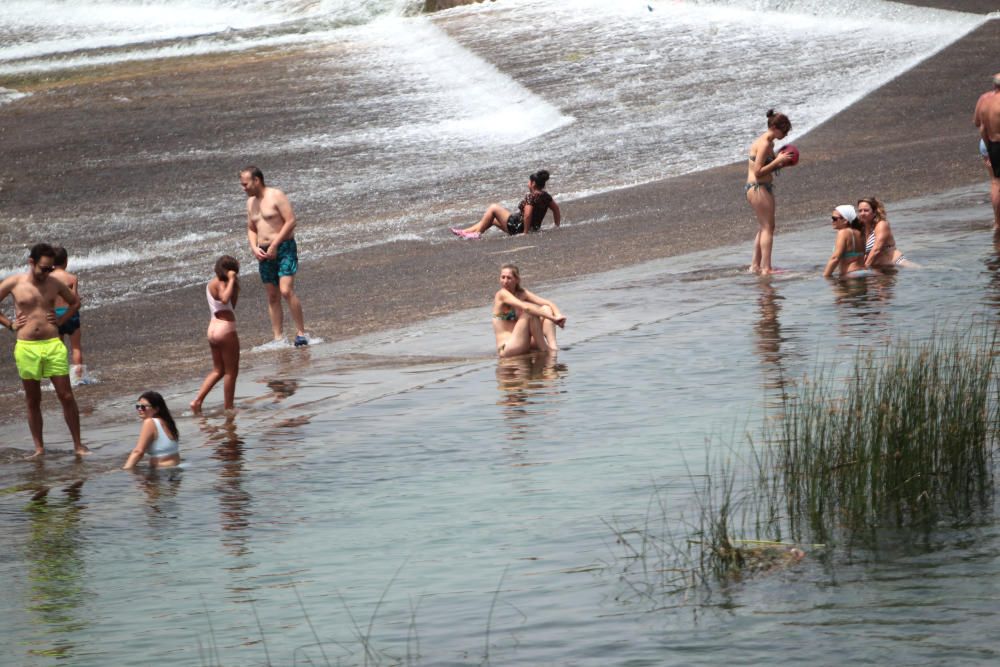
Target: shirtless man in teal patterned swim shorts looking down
(270, 230)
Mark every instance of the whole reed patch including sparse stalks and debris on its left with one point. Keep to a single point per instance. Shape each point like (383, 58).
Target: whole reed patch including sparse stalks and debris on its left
(905, 441)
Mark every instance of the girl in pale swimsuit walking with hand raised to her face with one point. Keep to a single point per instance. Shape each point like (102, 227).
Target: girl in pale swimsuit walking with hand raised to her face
(222, 292)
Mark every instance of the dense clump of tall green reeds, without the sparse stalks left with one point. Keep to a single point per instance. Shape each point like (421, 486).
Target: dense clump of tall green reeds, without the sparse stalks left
(907, 442)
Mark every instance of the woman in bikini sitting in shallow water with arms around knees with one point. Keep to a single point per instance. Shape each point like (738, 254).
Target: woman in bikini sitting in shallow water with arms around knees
(523, 321)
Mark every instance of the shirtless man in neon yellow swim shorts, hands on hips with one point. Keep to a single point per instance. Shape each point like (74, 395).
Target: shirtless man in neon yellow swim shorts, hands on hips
(39, 352)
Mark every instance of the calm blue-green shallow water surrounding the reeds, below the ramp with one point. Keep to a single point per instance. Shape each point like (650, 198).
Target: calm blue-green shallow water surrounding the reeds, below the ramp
(452, 510)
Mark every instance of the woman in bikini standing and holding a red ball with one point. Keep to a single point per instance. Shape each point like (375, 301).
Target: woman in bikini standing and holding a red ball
(760, 187)
